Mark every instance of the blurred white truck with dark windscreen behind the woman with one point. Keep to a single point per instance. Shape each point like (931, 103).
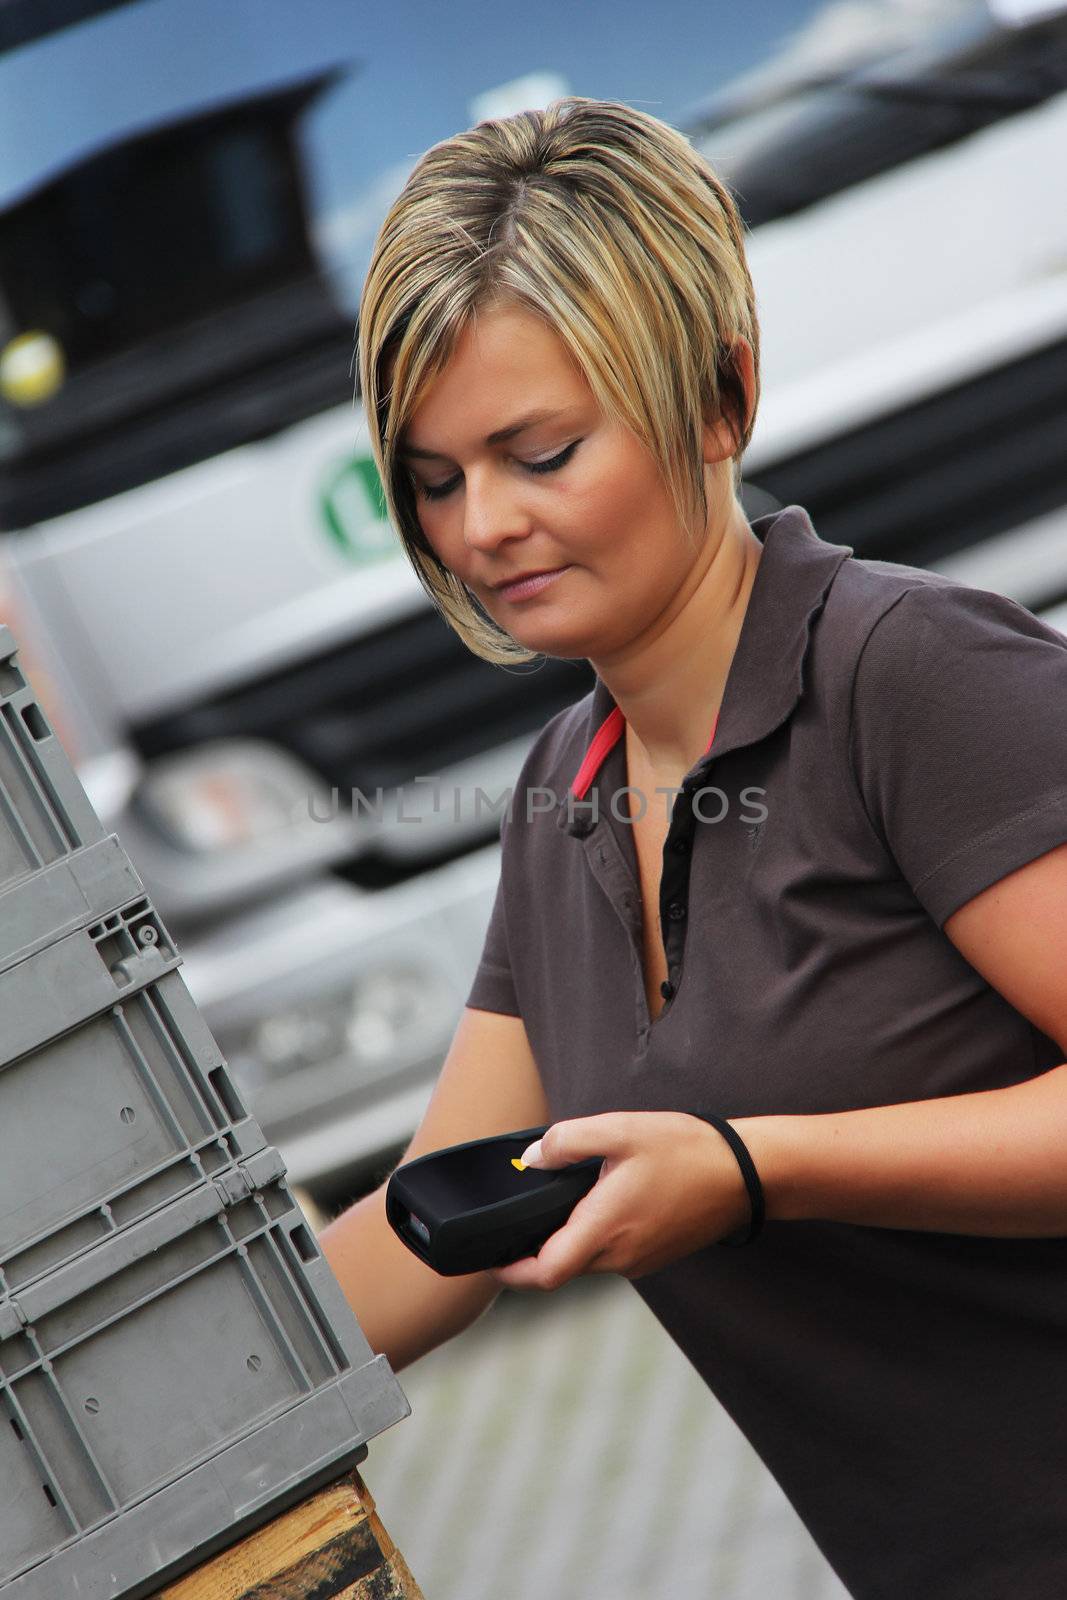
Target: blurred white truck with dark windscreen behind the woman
(303, 761)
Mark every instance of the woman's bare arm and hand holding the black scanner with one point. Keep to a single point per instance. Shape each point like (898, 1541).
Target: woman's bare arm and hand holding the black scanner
(993, 1162)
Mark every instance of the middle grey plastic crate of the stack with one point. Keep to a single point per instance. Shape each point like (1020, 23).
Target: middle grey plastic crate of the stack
(105, 1121)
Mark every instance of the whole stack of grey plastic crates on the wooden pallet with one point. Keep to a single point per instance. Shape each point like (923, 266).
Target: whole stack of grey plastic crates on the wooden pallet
(177, 1359)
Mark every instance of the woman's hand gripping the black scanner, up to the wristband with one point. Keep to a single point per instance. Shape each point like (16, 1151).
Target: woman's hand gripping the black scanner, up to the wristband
(669, 1185)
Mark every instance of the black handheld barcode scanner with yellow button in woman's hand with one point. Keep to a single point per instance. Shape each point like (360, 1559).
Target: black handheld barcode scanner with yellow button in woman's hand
(473, 1207)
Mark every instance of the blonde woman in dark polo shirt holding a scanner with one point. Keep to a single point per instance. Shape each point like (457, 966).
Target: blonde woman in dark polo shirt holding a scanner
(797, 865)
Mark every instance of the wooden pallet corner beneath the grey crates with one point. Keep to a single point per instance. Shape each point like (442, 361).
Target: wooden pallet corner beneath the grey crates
(330, 1548)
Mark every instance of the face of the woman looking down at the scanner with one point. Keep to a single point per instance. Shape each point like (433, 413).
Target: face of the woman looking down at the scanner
(567, 490)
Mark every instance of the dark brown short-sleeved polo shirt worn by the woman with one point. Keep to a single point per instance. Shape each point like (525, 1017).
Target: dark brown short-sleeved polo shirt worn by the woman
(890, 743)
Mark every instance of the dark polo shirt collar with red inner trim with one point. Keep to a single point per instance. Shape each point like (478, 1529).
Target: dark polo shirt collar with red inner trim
(765, 678)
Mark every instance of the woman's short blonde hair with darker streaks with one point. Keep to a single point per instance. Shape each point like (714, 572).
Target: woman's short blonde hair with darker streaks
(601, 220)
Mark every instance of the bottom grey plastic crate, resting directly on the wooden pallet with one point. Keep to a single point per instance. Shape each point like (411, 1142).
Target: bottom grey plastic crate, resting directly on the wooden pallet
(175, 1386)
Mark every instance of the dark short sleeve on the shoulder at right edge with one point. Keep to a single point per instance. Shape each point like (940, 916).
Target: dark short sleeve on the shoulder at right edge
(959, 740)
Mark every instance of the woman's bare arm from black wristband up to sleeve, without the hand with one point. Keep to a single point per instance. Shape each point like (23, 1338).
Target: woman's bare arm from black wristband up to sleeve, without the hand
(994, 1162)
